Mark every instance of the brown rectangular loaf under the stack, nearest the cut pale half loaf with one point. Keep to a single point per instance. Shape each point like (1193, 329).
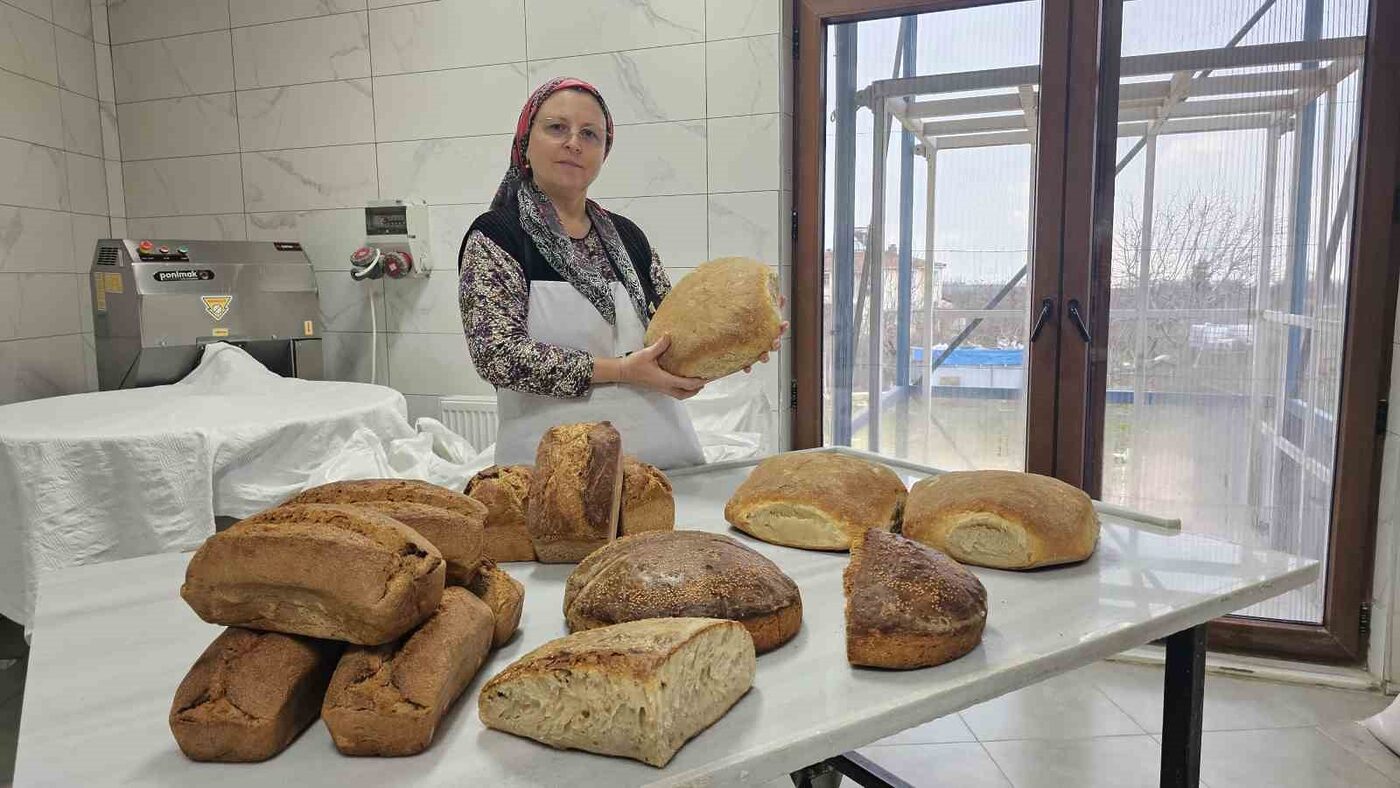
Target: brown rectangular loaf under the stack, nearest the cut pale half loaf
(388, 701)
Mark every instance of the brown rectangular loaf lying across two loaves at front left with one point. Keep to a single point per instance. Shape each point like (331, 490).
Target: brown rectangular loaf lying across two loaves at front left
(317, 570)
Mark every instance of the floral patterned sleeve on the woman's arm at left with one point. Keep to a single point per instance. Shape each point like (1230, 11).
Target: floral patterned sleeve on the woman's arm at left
(495, 300)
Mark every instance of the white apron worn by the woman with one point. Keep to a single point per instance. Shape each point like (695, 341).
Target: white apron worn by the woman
(654, 428)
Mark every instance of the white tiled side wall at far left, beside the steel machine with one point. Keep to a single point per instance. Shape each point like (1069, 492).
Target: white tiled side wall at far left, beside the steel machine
(55, 156)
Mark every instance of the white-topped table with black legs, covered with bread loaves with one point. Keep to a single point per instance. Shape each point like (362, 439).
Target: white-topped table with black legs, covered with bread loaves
(113, 642)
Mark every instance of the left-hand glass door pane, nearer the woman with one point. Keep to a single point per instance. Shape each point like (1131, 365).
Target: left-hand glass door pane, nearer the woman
(930, 292)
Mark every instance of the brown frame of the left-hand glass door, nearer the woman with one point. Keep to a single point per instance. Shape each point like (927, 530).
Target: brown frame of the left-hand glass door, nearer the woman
(811, 20)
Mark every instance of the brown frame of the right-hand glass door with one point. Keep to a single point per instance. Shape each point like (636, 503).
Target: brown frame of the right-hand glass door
(1366, 374)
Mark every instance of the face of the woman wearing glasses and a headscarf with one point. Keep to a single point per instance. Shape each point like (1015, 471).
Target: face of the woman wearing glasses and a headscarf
(568, 143)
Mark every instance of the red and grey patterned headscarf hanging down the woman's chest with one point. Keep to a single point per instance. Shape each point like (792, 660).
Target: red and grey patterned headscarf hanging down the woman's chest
(541, 220)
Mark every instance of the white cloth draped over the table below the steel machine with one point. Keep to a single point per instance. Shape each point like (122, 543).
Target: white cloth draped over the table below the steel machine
(113, 475)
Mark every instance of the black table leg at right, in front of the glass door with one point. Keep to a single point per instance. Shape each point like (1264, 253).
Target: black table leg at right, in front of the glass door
(1182, 695)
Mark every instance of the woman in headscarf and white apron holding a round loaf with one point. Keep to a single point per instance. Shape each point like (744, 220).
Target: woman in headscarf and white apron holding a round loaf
(556, 295)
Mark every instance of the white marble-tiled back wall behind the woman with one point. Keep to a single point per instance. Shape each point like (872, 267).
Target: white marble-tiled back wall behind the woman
(288, 115)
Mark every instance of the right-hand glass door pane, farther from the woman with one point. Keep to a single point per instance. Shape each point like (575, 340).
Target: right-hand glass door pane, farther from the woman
(1228, 272)
